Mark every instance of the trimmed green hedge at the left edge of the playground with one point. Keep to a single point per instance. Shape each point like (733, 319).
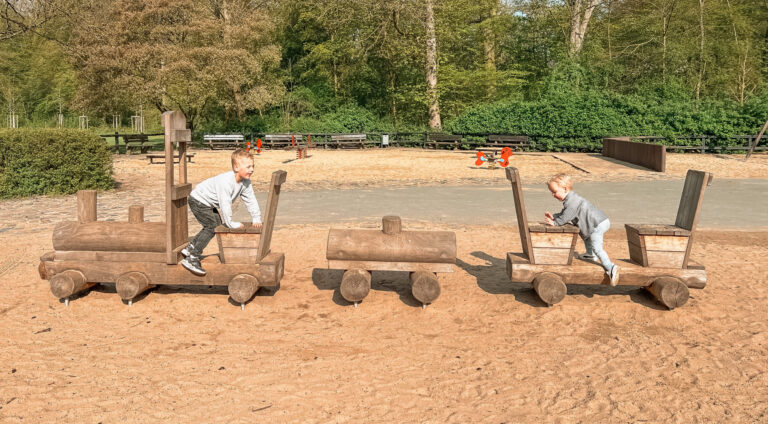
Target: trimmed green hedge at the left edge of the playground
(52, 161)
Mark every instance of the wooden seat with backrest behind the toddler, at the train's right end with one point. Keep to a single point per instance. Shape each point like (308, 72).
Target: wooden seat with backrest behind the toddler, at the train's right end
(669, 246)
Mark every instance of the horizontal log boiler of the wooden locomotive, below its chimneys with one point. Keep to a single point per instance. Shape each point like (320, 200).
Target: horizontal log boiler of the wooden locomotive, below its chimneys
(110, 236)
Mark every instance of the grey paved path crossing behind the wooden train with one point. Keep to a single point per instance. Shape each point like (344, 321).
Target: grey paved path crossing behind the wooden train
(728, 204)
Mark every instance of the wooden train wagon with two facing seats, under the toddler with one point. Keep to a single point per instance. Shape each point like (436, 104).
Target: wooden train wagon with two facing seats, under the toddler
(659, 254)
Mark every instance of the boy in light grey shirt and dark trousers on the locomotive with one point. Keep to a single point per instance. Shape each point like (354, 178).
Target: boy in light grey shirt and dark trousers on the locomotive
(211, 203)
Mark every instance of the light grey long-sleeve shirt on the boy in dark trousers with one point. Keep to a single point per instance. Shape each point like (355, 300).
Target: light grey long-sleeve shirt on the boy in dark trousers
(220, 191)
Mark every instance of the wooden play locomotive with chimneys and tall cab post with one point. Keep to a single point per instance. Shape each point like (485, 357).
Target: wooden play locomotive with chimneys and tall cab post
(138, 255)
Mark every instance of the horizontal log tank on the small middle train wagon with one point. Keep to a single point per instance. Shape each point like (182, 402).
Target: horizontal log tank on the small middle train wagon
(405, 246)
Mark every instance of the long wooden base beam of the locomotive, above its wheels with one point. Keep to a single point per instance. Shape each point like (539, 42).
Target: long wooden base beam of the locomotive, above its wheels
(269, 272)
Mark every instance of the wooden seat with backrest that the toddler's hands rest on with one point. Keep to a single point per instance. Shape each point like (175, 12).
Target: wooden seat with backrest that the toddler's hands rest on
(542, 244)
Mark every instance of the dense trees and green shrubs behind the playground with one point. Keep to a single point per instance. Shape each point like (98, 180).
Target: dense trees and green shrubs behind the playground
(576, 68)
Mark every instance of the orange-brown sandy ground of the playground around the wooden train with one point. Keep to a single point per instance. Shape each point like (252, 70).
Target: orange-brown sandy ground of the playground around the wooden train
(486, 351)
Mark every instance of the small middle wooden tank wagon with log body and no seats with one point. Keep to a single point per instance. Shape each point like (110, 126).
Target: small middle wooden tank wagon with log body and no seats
(422, 253)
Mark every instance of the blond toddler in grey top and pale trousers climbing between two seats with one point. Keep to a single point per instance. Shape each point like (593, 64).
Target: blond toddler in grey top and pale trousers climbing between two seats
(592, 222)
